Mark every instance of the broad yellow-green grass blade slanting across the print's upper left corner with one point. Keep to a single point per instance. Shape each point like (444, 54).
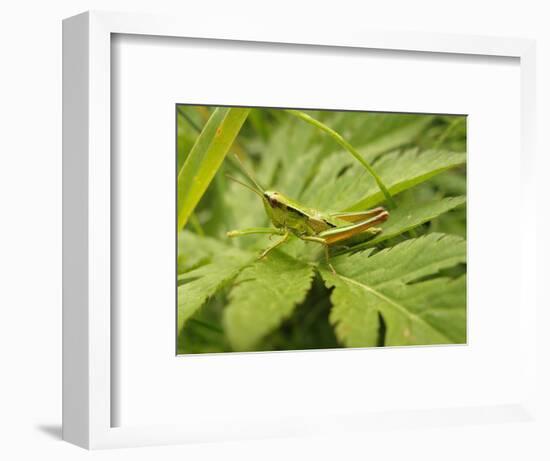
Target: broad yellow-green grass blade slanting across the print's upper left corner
(205, 158)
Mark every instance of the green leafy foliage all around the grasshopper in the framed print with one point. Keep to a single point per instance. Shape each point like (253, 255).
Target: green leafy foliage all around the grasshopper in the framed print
(406, 286)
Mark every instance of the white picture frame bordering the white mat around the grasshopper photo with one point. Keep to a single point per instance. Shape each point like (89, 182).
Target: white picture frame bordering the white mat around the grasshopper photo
(88, 362)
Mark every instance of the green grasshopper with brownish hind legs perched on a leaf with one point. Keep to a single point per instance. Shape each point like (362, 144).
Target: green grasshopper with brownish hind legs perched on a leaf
(292, 218)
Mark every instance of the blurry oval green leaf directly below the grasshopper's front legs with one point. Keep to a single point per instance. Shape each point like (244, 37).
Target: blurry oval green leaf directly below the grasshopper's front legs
(264, 295)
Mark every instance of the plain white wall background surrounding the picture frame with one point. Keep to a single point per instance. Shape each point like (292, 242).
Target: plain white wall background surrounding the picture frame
(30, 222)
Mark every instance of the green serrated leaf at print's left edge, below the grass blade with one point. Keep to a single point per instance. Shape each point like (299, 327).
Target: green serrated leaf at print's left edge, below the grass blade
(199, 284)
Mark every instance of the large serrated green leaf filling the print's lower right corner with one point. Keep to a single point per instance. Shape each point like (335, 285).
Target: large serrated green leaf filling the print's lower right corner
(426, 312)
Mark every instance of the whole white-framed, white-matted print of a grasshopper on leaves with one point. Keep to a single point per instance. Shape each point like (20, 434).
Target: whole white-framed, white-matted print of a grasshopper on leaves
(271, 233)
